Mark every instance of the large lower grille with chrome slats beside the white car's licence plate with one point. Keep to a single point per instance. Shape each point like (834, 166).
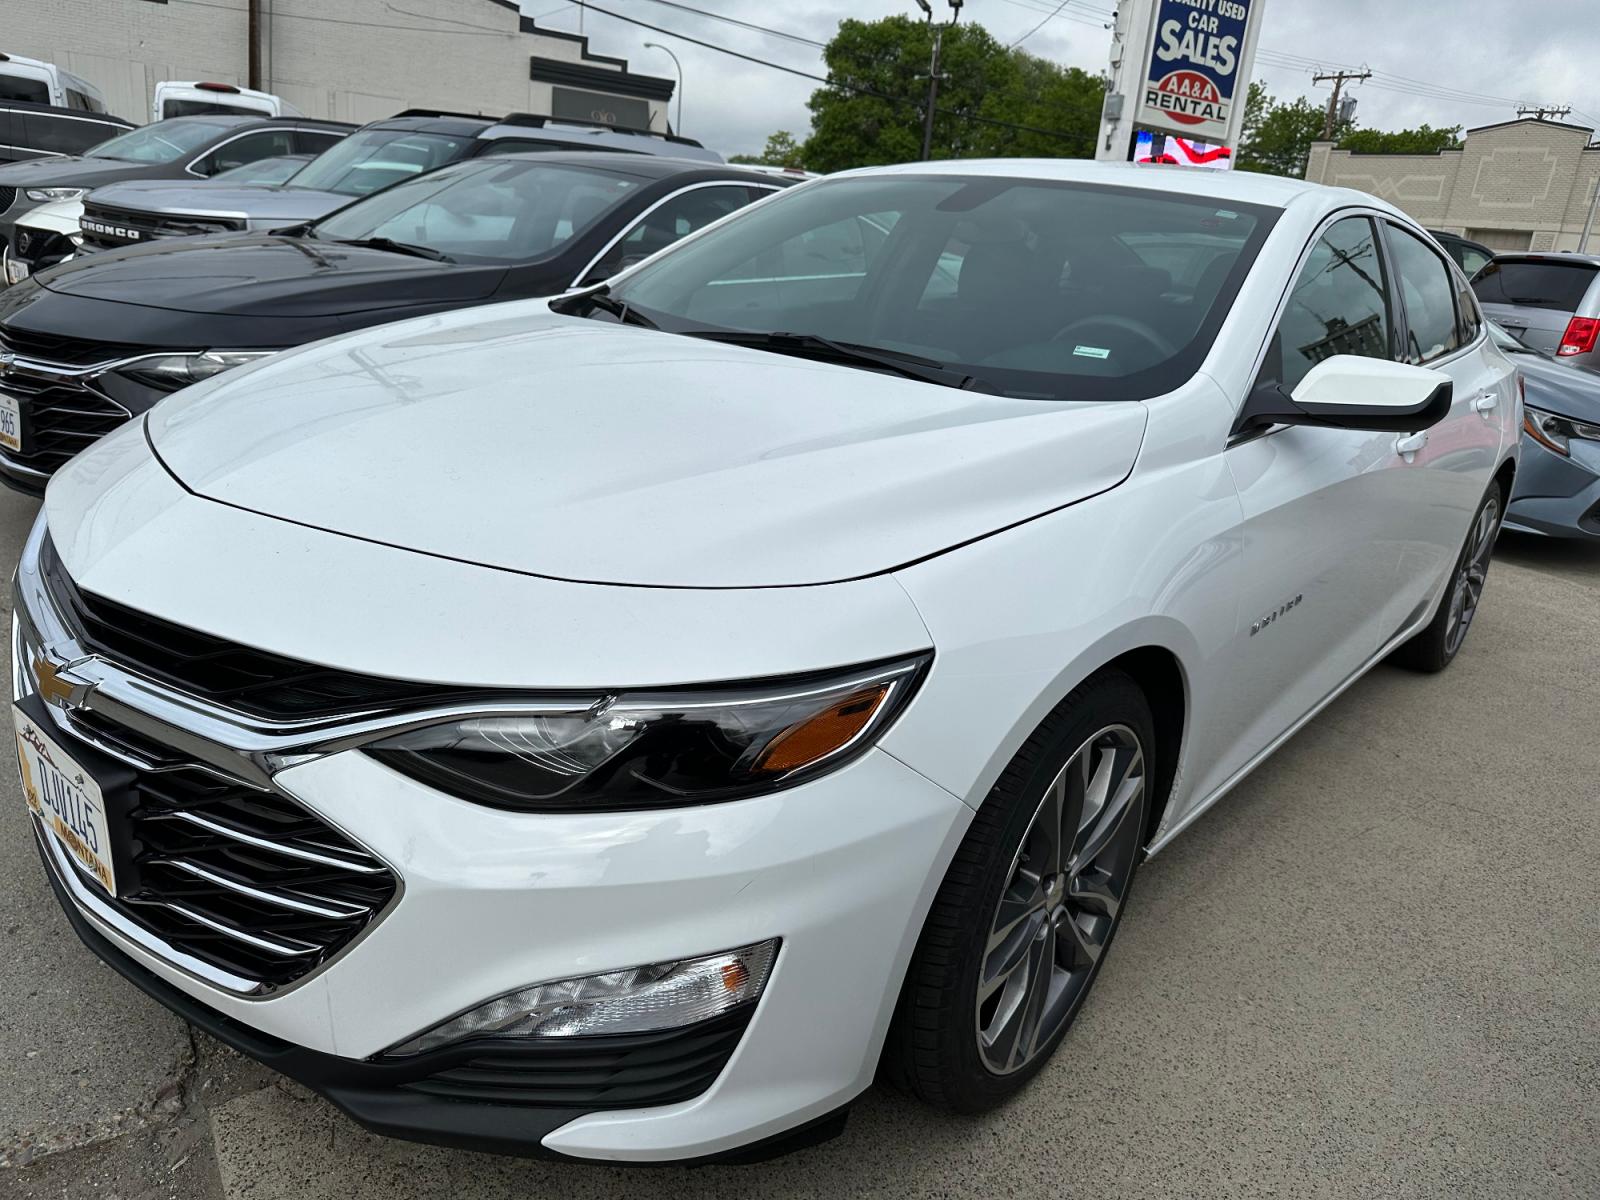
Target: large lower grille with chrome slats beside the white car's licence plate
(239, 878)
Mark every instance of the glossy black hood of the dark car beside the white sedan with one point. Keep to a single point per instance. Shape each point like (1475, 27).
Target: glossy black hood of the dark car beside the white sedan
(263, 276)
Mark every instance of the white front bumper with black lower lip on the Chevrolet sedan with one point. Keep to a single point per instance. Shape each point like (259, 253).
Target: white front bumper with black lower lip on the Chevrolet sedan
(841, 871)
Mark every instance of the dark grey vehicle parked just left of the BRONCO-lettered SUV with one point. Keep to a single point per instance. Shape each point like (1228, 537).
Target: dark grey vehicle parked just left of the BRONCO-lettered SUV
(182, 148)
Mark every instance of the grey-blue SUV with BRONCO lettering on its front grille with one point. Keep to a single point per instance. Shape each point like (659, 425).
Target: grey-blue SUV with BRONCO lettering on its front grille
(374, 158)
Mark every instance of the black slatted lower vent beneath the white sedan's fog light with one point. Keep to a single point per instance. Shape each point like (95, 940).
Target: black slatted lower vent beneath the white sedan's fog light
(593, 1073)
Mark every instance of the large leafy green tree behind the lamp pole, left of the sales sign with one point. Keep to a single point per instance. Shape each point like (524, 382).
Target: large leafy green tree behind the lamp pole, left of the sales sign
(871, 113)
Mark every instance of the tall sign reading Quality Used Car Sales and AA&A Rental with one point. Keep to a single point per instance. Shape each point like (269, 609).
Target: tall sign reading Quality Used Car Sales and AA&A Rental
(1180, 68)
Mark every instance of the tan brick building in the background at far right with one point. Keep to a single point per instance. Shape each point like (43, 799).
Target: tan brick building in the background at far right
(1524, 185)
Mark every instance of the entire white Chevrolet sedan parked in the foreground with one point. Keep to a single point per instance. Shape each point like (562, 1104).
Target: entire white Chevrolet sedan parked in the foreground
(618, 727)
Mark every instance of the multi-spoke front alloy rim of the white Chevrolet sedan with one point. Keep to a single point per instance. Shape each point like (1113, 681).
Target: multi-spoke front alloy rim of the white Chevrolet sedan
(1062, 900)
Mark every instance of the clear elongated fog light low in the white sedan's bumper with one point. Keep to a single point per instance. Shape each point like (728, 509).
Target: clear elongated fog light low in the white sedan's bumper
(638, 1001)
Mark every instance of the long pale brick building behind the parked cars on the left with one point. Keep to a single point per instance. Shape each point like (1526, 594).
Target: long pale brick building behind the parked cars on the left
(354, 60)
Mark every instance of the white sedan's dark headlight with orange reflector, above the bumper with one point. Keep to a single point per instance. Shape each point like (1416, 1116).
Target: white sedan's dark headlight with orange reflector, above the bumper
(658, 750)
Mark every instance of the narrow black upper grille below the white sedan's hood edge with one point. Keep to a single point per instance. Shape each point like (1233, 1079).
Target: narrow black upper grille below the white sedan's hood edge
(233, 676)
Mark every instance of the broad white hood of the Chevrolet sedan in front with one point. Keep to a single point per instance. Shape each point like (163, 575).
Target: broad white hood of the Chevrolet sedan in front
(599, 454)
